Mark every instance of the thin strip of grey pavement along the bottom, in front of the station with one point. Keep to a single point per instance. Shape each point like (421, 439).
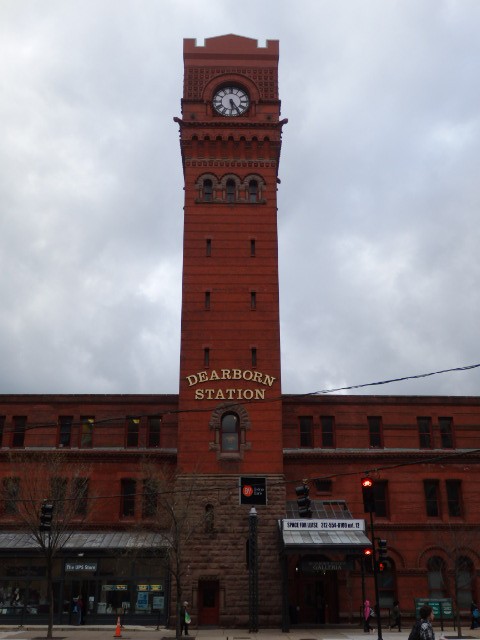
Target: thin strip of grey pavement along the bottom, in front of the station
(34, 632)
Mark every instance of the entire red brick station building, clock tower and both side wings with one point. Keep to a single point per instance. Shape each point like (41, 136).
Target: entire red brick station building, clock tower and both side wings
(238, 560)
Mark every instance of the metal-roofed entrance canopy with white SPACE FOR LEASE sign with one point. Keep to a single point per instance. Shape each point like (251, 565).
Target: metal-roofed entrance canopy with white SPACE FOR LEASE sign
(331, 528)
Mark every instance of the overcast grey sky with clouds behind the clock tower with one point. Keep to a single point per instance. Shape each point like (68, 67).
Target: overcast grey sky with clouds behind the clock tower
(379, 202)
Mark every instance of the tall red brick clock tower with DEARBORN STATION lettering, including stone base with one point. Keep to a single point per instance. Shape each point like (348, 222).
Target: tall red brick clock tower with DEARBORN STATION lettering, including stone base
(230, 420)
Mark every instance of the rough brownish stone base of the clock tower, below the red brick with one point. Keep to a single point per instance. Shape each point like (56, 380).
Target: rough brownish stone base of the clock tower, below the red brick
(214, 553)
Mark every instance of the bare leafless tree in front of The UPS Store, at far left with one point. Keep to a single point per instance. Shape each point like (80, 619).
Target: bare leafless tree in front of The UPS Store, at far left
(38, 478)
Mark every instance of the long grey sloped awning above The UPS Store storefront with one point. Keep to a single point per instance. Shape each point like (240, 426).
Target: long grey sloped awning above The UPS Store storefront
(22, 540)
